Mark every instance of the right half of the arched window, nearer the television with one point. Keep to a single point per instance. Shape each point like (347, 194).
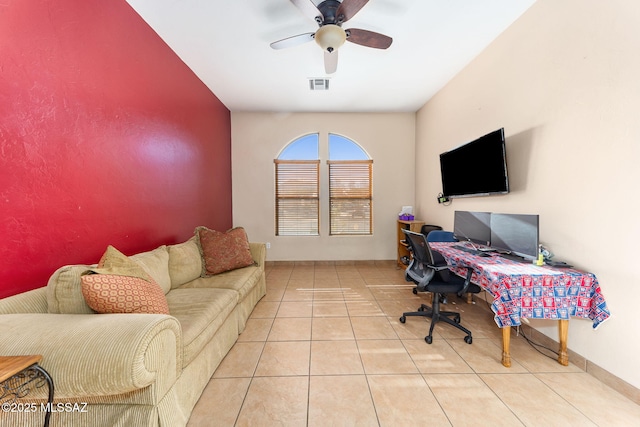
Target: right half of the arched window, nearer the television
(350, 193)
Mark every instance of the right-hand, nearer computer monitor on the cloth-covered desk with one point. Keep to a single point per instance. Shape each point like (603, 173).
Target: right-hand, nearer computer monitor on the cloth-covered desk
(516, 233)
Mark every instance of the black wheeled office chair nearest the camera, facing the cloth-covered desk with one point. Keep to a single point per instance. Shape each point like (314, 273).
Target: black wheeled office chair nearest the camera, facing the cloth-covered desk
(438, 280)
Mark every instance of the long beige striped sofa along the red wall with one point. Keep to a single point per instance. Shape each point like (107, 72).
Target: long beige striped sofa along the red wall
(132, 369)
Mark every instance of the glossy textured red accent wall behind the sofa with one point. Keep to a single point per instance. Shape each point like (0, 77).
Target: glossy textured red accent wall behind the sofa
(106, 136)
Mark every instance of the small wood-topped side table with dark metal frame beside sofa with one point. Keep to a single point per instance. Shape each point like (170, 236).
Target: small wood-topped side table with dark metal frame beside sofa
(18, 374)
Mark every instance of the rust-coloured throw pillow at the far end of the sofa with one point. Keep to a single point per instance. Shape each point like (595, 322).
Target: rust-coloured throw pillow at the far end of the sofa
(223, 251)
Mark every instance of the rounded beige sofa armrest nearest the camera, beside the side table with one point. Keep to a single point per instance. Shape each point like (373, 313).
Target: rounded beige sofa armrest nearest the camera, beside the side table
(98, 354)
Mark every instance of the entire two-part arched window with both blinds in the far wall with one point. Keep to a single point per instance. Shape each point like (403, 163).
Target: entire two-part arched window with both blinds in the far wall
(298, 187)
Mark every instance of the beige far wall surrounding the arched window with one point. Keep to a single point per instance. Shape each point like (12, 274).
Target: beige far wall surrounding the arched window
(258, 138)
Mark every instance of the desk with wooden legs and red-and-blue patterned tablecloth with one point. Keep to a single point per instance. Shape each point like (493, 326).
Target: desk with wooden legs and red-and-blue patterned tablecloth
(524, 290)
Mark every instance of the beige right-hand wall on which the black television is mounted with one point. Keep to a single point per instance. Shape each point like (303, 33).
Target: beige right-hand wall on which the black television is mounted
(563, 81)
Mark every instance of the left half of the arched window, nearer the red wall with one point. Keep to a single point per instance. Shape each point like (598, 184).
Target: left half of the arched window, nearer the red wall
(297, 188)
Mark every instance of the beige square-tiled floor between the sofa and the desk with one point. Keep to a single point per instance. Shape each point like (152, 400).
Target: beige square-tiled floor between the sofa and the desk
(324, 347)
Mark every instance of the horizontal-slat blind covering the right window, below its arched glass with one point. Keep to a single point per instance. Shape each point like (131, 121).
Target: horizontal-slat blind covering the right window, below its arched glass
(350, 197)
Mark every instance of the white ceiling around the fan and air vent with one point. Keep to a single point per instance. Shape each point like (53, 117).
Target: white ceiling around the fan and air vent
(226, 43)
